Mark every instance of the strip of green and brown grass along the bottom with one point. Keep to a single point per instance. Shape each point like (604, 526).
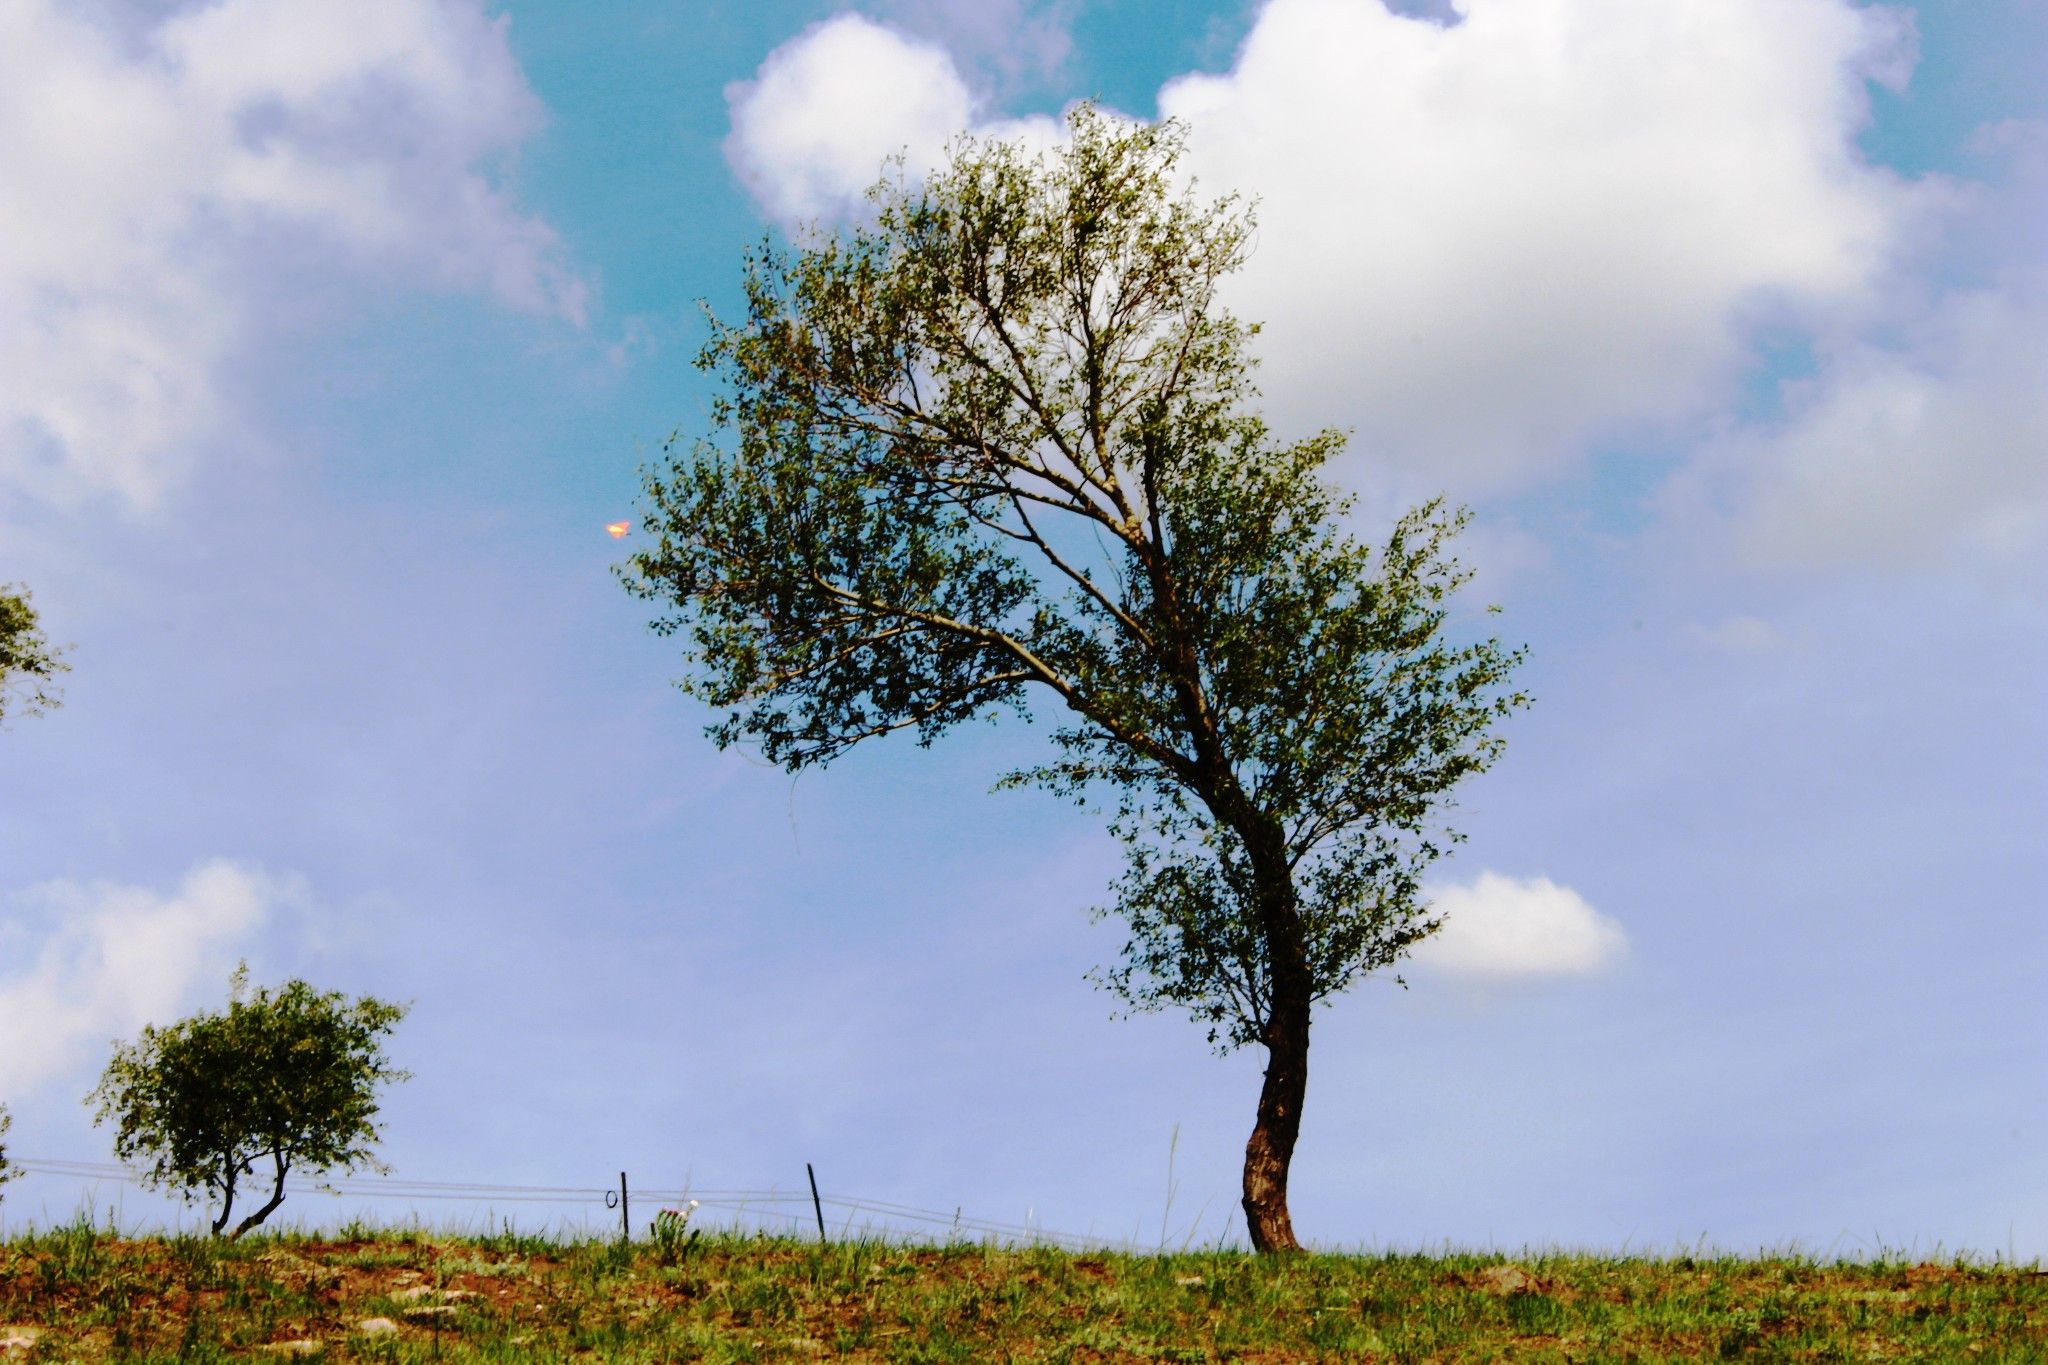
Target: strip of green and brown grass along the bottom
(93, 1296)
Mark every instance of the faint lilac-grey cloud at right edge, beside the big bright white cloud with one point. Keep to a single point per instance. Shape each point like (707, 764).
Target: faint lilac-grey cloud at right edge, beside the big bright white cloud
(1920, 445)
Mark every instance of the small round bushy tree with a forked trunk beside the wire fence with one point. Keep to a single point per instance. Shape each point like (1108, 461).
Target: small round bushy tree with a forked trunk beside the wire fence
(284, 1077)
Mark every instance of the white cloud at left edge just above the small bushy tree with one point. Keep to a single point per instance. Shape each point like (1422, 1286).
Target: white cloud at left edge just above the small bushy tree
(103, 961)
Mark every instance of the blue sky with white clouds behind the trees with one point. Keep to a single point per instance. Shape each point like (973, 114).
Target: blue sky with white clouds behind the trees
(331, 337)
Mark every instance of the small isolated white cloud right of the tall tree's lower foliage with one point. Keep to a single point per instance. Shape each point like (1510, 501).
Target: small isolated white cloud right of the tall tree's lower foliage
(1502, 930)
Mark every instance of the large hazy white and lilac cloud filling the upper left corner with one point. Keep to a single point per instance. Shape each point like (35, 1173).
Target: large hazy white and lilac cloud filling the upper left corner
(153, 167)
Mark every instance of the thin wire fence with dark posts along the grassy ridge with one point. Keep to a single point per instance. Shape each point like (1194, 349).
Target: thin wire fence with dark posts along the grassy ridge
(771, 1204)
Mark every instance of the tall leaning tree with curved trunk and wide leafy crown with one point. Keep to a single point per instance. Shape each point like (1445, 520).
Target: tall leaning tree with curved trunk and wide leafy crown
(998, 443)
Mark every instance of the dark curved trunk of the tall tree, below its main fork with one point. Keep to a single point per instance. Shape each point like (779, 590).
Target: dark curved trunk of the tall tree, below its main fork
(1271, 1149)
